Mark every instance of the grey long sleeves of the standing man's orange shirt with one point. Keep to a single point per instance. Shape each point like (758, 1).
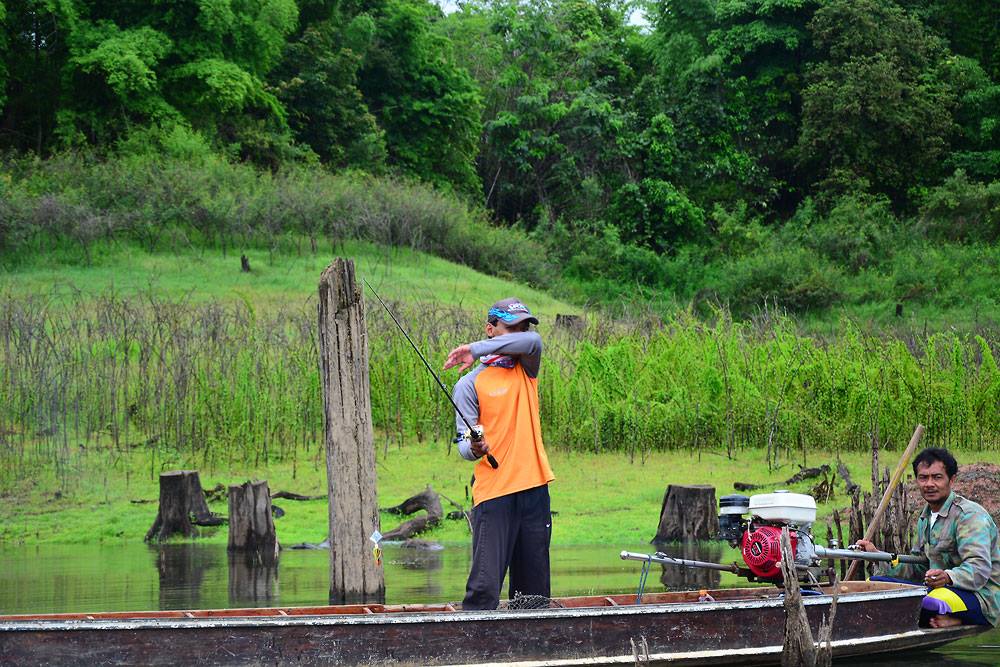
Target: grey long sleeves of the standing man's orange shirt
(524, 348)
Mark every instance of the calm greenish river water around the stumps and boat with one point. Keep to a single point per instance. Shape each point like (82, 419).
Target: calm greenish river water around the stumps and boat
(70, 578)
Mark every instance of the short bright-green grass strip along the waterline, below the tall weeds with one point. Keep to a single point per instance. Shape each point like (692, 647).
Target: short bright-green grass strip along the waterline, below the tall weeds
(606, 498)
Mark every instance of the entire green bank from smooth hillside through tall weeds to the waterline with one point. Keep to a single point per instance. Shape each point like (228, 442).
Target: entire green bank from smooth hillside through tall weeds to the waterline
(135, 362)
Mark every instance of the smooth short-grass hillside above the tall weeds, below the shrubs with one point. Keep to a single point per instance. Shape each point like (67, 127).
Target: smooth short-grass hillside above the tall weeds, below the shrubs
(277, 279)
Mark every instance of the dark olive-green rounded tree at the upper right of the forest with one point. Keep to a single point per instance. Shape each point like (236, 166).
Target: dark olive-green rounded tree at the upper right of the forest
(876, 111)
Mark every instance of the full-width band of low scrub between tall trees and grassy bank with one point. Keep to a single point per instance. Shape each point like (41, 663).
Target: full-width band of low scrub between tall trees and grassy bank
(857, 257)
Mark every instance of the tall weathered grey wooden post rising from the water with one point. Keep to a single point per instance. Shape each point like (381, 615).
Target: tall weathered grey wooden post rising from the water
(350, 450)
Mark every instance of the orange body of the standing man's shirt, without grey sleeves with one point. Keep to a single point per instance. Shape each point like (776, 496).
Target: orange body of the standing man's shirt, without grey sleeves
(508, 413)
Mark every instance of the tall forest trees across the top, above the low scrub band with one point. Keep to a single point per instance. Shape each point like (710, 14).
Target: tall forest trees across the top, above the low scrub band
(558, 116)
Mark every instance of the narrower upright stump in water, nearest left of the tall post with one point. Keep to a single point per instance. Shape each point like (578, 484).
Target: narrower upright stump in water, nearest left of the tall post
(251, 527)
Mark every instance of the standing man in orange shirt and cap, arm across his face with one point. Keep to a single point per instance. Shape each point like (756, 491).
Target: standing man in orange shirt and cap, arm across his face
(512, 523)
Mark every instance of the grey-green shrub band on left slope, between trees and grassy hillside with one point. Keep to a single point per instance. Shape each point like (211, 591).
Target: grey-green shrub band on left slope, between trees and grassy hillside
(210, 202)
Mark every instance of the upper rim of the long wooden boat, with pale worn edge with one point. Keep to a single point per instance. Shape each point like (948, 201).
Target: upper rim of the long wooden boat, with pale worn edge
(260, 617)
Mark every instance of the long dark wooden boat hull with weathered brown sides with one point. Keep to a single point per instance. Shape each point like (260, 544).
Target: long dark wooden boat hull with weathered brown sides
(744, 626)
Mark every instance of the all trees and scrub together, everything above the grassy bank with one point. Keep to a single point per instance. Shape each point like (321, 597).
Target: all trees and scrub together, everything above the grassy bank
(802, 152)
